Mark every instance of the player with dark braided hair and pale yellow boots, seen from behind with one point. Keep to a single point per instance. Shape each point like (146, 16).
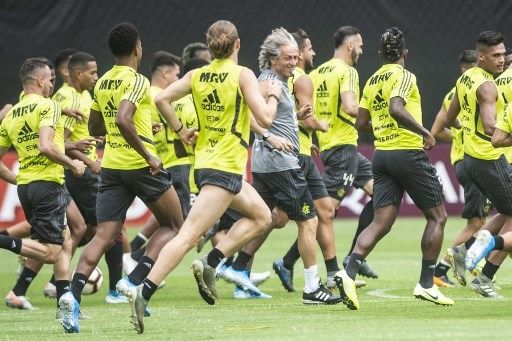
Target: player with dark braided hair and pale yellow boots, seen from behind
(391, 100)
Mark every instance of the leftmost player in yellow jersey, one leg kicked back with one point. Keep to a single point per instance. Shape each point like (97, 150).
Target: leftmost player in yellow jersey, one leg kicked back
(34, 127)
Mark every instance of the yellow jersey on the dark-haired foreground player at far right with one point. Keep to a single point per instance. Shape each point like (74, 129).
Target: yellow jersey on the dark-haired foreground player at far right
(476, 143)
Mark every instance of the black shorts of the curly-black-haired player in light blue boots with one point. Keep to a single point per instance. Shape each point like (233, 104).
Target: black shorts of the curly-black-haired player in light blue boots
(118, 189)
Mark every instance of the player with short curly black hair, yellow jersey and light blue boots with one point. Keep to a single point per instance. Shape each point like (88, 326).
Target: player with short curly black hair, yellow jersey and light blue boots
(130, 167)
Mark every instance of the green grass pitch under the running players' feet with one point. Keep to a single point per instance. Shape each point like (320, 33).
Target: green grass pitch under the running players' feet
(388, 309)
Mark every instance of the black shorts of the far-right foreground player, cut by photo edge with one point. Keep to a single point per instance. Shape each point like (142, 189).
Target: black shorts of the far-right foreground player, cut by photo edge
(494, 179)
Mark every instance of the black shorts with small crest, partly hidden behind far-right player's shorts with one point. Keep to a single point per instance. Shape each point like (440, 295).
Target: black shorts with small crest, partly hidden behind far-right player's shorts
(476, 205)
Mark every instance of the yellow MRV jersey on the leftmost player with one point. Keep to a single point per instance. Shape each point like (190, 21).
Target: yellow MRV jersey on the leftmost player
(20, 128)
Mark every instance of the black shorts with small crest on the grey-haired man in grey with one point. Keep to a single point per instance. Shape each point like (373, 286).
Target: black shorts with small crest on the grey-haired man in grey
(287, 190)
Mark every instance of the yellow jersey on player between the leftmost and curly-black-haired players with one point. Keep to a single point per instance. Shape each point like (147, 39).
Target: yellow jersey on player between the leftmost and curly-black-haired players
(69, 98)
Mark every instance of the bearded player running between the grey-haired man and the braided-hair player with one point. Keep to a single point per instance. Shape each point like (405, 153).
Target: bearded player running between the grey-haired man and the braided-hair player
(336, 85)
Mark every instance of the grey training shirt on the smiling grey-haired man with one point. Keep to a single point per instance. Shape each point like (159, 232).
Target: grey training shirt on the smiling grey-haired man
(264, 158)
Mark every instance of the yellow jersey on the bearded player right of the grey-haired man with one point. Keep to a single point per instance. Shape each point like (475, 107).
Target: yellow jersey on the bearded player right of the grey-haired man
(331, 79)
